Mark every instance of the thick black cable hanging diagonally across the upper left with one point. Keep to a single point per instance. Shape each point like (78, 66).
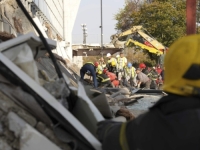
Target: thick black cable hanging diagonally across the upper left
(41, 37)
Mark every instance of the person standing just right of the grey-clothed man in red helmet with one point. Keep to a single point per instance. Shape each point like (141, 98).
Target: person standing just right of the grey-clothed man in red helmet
(153, 75)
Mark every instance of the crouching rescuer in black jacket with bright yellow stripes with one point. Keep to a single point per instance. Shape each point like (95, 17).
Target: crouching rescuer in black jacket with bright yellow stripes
(103, 80)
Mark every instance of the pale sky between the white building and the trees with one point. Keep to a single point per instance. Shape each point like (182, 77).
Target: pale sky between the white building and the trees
(89, 14)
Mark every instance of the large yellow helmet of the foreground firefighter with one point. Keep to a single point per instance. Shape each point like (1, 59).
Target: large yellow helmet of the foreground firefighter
(182, 67)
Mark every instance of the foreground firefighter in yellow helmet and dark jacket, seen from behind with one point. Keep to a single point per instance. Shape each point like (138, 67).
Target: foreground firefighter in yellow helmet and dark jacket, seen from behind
(174, 121)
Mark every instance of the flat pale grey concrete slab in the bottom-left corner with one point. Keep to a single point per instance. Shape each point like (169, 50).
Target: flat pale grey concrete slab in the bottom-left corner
(29, 138)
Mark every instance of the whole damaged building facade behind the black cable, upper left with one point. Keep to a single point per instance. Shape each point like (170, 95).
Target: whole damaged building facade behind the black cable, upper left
(54, 18)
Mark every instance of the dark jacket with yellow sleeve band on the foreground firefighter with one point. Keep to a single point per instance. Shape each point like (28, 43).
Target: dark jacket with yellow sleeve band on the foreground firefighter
(173, 123)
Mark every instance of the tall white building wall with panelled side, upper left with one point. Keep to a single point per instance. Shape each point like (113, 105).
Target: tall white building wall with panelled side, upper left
(61, 14)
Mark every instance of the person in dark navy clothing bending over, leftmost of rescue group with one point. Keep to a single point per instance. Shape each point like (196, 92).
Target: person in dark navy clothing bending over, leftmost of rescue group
(90, 69)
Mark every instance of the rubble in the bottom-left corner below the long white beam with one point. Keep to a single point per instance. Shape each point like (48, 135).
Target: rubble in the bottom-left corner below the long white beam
(19, 129)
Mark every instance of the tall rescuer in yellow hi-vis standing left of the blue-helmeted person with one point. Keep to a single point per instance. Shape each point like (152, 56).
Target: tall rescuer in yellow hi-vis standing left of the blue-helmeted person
(121, 63)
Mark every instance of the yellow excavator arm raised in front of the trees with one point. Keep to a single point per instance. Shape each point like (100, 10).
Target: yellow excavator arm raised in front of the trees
(138, 36)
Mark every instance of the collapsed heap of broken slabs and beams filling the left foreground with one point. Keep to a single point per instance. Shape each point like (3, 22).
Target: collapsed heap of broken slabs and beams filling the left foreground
(43, 104)
